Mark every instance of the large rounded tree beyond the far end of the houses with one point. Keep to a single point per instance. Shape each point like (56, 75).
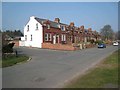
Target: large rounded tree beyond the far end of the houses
(107, 32)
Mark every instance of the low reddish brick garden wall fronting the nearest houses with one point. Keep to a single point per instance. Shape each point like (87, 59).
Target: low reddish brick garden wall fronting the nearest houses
(59, 46)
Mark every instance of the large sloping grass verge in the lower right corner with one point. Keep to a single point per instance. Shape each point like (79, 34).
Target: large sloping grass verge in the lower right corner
(103, 75)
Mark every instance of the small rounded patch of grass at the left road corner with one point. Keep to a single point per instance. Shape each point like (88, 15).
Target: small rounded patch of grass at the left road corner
(10, 61)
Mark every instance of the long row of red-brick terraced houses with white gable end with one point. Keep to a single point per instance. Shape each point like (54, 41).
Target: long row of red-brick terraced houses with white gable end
(44, 33)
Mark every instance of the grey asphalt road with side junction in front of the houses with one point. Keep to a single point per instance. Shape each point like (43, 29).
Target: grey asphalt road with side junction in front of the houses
(52, 68)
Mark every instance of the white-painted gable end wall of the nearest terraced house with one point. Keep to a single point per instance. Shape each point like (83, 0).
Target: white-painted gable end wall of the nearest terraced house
(37, 35)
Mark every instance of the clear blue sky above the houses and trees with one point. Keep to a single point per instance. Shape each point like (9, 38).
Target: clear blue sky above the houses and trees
(90, 14)
